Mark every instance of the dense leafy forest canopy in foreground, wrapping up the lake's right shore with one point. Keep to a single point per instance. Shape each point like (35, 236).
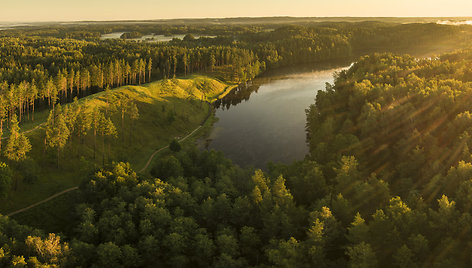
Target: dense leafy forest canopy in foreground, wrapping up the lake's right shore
(387, 183)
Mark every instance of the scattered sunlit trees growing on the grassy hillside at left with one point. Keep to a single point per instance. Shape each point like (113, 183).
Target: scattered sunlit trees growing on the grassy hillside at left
(71, 124)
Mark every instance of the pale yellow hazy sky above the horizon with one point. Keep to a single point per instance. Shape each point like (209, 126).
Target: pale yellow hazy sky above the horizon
(66, 10)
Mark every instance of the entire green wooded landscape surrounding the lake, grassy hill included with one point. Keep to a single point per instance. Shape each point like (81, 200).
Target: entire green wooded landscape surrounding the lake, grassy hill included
(386, 182)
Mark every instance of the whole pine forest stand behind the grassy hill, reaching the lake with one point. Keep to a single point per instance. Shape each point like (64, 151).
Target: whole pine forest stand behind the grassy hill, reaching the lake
(39, 72)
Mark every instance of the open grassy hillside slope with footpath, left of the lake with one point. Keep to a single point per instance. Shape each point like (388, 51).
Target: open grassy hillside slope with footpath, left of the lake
(153, 130)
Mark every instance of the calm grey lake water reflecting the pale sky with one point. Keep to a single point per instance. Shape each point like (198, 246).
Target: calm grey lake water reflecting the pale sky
(266, 120)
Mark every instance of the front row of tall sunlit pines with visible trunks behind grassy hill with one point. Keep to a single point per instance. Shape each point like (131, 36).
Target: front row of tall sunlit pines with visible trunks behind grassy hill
(41, 89)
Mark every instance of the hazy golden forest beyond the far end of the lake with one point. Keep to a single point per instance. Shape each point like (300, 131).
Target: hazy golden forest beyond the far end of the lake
(296, 44)
